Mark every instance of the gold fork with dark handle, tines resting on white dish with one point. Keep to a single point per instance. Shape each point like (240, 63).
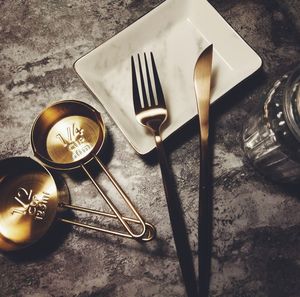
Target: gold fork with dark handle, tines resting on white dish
(152, 114)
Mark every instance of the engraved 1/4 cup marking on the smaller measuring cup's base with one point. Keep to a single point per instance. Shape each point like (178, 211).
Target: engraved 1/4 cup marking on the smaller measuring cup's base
(73, 139)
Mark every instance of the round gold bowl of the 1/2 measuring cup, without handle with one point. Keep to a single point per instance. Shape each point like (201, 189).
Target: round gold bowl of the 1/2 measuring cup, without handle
(28, 202)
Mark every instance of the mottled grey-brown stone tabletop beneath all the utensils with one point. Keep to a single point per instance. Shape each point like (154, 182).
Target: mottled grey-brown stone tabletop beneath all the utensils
(256, 242)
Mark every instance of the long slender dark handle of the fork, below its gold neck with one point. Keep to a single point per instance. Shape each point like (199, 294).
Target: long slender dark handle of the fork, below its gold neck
(183, 249)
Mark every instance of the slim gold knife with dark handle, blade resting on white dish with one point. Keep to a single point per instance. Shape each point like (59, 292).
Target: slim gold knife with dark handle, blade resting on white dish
(202, 83)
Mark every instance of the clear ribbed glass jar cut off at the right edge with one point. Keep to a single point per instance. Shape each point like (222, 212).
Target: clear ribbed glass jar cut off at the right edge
(271, 137)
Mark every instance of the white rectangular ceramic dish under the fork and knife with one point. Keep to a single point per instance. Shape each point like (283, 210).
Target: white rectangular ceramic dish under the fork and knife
(176, 32)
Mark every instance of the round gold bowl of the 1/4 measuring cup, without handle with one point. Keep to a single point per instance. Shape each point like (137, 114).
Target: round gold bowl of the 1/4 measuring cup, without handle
(67, 134)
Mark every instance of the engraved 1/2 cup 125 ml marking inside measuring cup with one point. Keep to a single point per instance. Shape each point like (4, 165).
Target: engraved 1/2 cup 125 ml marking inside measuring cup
(33, 205)
